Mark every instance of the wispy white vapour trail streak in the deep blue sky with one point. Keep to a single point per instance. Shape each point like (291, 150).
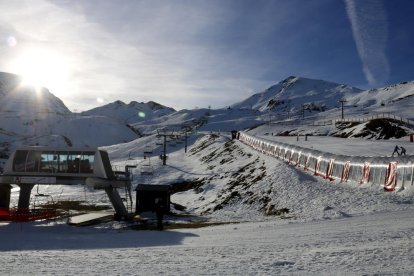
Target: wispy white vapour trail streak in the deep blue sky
(370, 30)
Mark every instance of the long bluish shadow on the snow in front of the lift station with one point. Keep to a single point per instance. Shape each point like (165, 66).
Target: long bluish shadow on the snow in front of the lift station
(32, 236)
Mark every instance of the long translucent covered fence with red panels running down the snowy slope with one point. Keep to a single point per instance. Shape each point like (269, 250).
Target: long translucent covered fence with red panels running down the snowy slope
(388, 173)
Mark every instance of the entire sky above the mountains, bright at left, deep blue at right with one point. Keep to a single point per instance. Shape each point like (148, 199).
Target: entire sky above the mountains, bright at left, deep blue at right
(193, 53)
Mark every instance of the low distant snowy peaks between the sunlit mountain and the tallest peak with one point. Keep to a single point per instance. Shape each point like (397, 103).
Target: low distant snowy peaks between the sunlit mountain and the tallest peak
(131, 113)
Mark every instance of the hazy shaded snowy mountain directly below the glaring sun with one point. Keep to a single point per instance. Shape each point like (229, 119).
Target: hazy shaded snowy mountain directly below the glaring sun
(33, 116)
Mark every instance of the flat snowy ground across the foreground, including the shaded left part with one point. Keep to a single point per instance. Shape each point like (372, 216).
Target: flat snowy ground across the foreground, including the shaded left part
(363, 245)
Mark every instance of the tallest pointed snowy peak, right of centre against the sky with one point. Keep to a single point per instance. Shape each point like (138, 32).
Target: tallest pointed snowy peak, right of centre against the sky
(294, 93)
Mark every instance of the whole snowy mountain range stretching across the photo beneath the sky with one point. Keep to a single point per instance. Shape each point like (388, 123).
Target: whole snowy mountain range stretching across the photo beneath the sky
(36, 117)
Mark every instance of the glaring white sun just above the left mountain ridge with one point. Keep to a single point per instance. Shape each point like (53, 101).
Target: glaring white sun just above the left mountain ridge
(43, 68)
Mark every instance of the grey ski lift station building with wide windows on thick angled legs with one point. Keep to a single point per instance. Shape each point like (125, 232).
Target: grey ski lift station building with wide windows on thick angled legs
(30, 166)
